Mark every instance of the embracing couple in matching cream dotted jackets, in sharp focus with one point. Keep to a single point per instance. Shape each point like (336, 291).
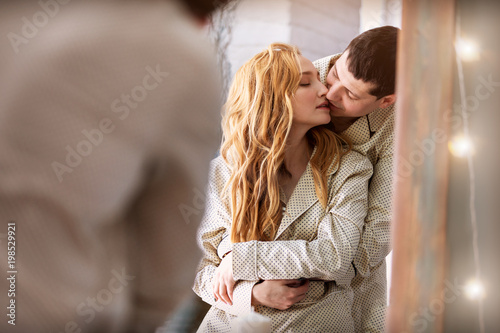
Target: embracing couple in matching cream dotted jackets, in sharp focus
(298, 212)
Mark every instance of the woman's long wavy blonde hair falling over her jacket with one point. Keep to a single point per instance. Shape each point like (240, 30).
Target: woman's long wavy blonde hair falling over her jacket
(256, 124)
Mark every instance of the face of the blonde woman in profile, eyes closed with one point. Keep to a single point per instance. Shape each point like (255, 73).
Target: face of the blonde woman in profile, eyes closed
(310, 106)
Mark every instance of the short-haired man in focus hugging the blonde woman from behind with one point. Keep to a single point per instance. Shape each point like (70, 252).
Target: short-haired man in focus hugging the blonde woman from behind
(361, 92)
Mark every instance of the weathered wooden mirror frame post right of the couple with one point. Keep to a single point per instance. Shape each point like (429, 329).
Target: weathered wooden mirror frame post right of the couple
(424, 90)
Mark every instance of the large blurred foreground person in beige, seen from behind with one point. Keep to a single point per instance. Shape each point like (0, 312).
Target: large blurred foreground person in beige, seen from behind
(108, 119)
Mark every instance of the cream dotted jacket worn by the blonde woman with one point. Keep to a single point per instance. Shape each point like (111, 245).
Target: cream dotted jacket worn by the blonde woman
(312, 242)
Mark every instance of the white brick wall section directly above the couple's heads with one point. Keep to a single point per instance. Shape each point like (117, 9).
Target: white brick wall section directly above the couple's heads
(318, 27)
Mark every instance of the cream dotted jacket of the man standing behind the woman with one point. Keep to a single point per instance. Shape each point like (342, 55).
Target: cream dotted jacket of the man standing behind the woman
(373, 137)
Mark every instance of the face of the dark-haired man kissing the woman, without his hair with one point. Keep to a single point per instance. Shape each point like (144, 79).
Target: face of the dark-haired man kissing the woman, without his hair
(348, 96)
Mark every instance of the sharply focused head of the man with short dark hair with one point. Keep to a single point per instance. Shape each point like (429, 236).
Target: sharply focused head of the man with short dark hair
(363, 78)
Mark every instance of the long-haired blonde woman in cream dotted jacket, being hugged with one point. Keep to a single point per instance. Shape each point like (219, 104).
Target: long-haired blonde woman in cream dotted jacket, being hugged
(285, 201)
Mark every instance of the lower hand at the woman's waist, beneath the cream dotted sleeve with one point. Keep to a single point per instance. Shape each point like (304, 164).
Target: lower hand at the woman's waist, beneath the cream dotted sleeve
(279, 294)
